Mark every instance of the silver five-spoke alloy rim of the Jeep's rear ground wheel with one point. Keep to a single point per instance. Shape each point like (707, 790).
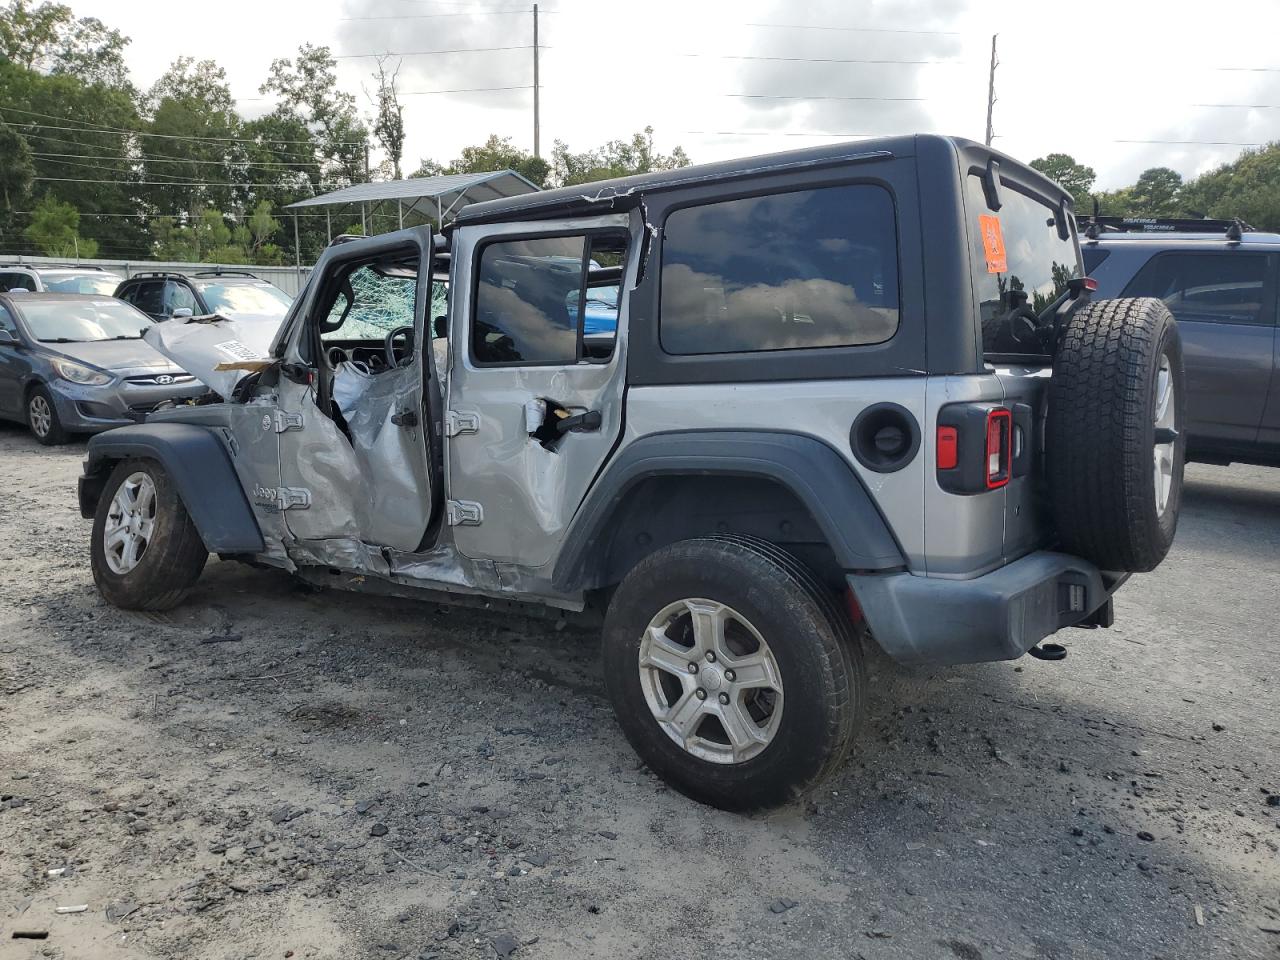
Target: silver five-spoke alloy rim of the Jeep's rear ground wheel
(711, 682)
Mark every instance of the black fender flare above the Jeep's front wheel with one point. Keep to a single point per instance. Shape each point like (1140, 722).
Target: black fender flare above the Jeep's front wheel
(199, 465)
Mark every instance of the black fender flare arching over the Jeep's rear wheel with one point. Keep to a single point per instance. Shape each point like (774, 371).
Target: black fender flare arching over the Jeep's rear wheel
(816, 474)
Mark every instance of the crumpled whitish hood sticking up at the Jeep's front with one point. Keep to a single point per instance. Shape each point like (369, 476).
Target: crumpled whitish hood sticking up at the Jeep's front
(207, 348)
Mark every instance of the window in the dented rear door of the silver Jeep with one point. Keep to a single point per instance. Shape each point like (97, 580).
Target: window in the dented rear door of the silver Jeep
(547, 300)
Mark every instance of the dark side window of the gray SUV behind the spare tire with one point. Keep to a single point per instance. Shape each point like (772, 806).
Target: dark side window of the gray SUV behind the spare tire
(1214, 289)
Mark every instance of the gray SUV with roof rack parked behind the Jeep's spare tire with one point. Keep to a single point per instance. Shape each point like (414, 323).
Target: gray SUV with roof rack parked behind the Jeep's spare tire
(1222, 282)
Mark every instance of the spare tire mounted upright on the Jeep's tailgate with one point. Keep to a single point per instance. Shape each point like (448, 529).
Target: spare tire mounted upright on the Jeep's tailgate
(1114, 437)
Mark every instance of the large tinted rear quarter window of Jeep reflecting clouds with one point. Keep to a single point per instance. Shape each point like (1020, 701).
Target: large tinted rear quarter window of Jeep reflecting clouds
(815, 268)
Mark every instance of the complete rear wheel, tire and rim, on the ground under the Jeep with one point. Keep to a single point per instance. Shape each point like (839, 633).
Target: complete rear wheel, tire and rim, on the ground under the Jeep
(733, 674)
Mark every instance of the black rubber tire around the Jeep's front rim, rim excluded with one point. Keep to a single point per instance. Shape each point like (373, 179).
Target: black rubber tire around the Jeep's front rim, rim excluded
(173, 560)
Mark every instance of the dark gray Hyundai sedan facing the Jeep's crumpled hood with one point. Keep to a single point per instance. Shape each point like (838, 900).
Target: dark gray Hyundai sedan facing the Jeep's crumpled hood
(76, 364)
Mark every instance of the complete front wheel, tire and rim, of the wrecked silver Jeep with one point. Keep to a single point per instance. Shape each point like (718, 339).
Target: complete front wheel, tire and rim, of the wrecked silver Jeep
(147, 552)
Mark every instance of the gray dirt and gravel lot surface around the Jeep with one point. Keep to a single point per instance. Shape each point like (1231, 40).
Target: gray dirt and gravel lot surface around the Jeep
(269, 772)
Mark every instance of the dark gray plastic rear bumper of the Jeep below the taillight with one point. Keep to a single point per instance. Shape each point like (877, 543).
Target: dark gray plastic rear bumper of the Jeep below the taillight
(994, 618)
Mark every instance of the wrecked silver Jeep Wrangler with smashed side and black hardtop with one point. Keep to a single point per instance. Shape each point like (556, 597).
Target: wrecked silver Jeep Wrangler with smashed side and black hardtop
(753, 415)
